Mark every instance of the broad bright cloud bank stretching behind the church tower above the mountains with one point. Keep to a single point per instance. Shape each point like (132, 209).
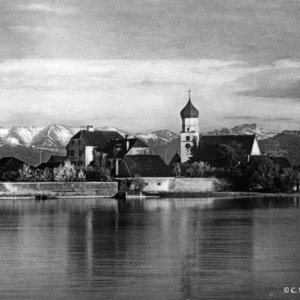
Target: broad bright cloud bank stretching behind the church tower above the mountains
(139, 94)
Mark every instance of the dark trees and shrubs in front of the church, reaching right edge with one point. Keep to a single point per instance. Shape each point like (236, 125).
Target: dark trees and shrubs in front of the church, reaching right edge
(255, 173)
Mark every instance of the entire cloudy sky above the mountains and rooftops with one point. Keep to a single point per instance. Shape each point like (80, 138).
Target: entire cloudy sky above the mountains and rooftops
(130, 63)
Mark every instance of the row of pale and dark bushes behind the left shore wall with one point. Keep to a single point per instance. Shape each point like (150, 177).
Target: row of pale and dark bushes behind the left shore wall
(65, 172)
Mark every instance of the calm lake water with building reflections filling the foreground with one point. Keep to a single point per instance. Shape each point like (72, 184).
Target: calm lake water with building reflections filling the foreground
(150, 249)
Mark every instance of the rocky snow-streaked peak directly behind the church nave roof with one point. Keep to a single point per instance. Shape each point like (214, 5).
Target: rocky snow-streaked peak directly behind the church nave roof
(244, 129)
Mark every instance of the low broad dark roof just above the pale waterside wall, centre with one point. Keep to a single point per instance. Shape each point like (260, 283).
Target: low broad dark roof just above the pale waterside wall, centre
(144, 165)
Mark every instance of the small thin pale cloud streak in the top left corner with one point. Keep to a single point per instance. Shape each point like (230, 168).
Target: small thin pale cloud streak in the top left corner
(48, 8)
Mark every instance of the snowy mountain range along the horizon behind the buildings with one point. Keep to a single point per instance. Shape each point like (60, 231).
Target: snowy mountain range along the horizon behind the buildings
(27, 143)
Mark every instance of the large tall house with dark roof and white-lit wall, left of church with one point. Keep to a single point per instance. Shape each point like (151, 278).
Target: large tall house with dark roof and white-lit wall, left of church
(85, 144)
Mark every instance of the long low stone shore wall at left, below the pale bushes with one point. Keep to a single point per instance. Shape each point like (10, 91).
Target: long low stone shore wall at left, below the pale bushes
(104, 189)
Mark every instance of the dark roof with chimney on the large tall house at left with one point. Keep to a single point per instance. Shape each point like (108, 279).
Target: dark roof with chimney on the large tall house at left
(97, 138)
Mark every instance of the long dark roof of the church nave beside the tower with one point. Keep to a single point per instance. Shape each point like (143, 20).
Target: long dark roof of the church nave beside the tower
(245, 141)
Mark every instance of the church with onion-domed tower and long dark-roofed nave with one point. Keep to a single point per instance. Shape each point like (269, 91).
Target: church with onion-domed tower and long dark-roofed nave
(246, 144)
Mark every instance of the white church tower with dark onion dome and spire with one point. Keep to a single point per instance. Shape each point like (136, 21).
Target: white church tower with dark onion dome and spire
(190, 129)
